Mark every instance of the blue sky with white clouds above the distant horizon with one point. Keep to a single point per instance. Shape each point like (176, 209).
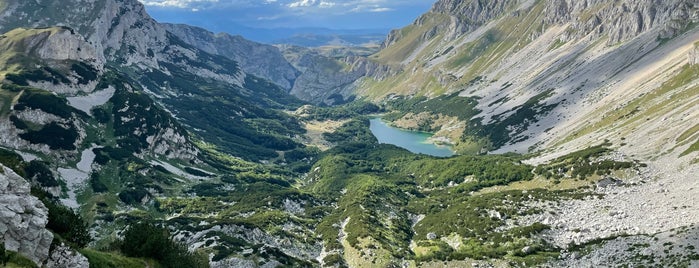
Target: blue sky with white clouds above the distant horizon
(228, 15)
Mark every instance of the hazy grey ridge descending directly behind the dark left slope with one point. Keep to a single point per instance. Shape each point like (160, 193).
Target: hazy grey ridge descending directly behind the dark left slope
(261, 60)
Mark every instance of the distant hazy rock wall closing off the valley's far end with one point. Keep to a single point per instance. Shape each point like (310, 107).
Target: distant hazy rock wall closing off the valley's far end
(317, 75)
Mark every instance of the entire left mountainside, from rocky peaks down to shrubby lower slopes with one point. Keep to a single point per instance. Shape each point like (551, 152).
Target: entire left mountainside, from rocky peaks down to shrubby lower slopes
(105, 112)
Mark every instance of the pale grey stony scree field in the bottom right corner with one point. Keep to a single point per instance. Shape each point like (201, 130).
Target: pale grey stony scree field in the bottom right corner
(650, 219)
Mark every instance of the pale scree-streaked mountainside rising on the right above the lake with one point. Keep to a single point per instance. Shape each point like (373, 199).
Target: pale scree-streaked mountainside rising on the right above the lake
(559, 78)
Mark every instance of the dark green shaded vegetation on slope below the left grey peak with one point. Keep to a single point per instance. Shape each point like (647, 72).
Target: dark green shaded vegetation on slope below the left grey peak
(245, 121)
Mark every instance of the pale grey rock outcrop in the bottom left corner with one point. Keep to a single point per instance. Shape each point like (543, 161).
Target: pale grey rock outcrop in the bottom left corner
(22, 218)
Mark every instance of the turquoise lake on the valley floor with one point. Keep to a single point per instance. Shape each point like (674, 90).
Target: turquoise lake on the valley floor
(414, 141)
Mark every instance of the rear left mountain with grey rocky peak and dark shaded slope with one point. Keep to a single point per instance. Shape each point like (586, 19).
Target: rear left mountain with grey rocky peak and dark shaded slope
(132, 43)
